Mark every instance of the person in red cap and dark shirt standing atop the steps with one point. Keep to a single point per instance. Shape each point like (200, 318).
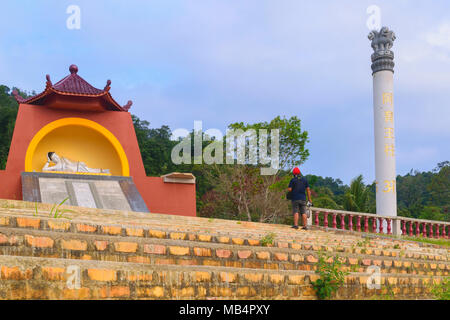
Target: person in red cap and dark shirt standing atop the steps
(297, 186)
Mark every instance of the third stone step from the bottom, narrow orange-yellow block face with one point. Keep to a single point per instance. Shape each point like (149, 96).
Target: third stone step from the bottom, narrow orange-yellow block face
(283, 237)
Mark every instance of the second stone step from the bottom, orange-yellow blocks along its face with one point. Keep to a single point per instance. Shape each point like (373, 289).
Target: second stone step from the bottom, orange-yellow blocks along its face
(38, 243)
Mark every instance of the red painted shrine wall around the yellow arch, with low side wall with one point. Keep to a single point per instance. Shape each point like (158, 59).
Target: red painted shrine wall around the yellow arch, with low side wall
(160, 197)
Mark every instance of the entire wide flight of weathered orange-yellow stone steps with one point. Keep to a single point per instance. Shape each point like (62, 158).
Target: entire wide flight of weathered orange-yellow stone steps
(103, 254)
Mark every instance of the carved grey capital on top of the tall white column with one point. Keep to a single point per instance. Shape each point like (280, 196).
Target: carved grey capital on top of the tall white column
(382, 42)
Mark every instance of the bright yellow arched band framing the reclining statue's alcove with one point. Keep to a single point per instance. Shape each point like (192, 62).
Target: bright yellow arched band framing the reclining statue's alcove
(80, 122)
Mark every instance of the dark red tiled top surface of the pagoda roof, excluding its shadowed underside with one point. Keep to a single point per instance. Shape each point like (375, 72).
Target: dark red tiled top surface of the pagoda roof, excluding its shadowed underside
(74, 85)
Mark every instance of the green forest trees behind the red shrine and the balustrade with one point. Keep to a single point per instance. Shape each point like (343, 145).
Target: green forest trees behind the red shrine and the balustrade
(241, 192)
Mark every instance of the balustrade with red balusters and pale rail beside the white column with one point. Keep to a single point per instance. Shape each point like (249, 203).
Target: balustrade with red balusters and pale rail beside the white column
(366, 222)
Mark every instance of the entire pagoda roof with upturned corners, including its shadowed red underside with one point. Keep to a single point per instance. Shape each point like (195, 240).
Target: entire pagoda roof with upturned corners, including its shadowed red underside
(70, 89)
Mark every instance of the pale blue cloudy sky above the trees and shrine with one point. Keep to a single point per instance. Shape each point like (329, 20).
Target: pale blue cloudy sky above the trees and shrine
(231, 61)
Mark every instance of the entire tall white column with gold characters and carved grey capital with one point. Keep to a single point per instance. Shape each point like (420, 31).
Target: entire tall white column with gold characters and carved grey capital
(383, 108)
